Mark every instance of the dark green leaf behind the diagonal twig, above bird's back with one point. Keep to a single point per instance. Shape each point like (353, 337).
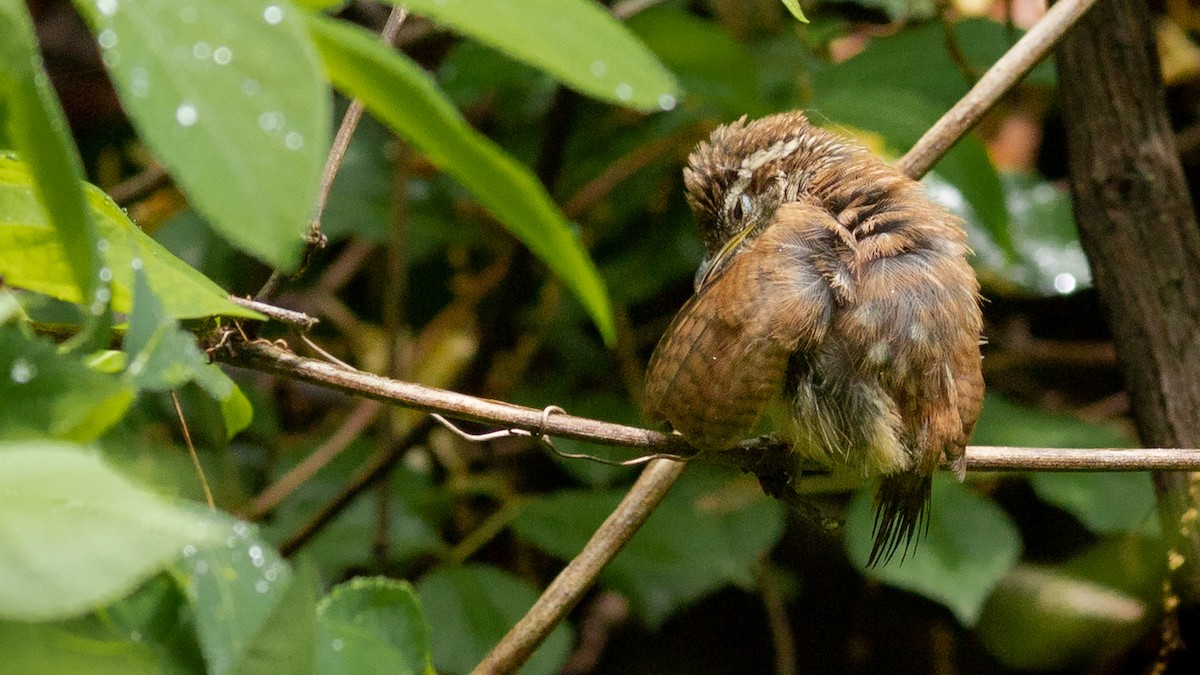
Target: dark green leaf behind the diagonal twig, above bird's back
(902, 123)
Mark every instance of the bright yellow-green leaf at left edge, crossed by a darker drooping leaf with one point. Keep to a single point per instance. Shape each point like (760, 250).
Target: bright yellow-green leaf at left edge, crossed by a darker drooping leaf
(31, 255)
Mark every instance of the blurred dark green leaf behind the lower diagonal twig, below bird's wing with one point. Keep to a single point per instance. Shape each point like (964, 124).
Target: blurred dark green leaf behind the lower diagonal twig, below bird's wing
(707, 534)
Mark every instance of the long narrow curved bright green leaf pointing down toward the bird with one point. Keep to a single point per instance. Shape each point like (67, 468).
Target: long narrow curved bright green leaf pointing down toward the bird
(404, 97)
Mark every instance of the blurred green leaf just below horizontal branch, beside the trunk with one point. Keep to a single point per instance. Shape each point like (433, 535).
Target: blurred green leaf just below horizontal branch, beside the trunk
(1105, 503)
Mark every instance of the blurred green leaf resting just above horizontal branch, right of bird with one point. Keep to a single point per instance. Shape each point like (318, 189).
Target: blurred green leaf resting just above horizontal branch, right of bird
(1006, 423)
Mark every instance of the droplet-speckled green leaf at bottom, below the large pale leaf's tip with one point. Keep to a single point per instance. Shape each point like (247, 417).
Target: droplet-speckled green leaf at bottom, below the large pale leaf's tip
(236, 588)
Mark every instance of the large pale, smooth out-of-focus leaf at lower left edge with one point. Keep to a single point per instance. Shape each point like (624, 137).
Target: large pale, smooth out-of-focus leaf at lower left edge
(79, 535)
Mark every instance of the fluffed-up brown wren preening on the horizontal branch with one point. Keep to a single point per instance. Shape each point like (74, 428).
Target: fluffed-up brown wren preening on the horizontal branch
(839, 296)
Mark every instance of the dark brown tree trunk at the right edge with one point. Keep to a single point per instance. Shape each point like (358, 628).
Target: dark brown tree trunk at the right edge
(1139, 229)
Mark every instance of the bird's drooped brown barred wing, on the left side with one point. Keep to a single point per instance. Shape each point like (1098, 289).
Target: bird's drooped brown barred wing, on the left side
(725, 355)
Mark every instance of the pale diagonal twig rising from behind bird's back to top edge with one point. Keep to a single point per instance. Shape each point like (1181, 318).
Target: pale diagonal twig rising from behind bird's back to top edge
(1031, 49)
